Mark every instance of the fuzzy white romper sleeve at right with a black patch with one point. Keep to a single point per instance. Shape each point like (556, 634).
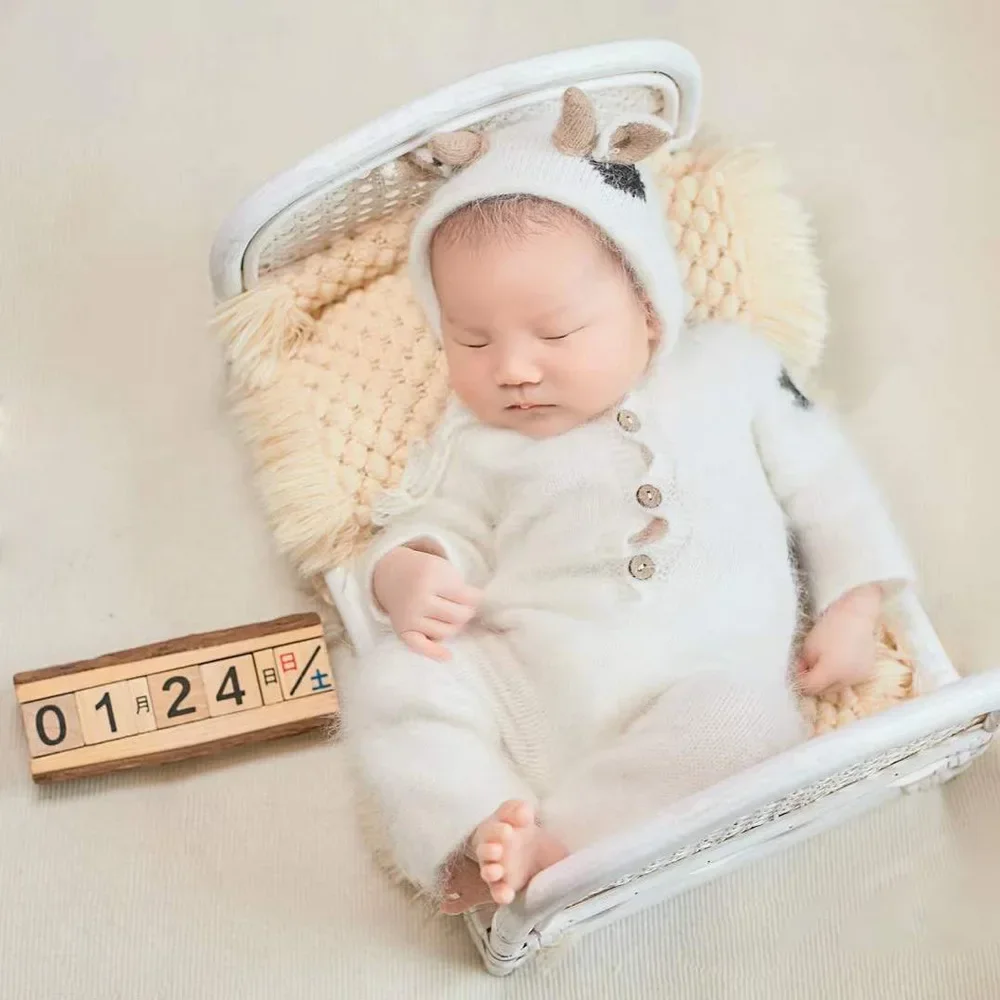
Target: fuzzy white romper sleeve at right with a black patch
(846, 535)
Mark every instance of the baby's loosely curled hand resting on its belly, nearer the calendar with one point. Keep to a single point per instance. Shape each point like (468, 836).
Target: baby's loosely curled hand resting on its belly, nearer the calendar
(425, 598)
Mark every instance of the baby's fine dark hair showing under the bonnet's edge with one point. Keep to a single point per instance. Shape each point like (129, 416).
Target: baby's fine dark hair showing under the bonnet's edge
(512, 217)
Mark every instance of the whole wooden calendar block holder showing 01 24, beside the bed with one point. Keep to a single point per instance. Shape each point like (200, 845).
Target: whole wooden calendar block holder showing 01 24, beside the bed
(177, 699)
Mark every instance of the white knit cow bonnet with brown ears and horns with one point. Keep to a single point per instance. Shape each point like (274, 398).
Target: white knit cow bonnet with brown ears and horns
(571, 161)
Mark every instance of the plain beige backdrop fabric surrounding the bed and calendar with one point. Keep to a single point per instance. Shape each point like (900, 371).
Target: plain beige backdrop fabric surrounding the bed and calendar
(127, 131)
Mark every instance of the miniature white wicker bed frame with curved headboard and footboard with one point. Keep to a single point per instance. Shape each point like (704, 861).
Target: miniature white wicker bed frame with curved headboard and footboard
(821, 783)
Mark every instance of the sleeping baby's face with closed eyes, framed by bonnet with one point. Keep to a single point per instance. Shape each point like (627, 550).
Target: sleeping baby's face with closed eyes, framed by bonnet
(542, 332)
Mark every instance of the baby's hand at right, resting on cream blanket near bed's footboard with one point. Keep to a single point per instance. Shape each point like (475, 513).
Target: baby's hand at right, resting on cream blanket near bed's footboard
(840, 648)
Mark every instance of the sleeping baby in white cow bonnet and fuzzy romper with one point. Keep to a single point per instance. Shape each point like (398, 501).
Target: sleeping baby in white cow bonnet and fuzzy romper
(590, 603)
